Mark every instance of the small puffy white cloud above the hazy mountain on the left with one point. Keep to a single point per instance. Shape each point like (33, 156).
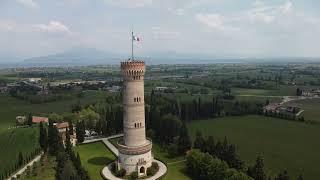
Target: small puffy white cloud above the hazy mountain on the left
(52, 27)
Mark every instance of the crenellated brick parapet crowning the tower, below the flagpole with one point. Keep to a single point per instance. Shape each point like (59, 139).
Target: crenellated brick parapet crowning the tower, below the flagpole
(133, 68)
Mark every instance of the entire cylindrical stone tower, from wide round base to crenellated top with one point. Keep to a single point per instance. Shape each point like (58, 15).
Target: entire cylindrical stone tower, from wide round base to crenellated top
(135, 148)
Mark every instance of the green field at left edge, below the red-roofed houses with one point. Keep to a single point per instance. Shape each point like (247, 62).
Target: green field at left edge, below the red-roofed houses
(23, 140)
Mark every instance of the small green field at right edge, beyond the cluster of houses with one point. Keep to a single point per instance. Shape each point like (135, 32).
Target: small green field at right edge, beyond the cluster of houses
(311, 107)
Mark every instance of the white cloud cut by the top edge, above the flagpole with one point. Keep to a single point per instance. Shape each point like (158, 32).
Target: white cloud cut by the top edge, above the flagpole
(129, 3)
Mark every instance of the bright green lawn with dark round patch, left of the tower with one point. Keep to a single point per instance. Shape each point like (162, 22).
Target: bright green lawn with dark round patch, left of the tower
(94, 157)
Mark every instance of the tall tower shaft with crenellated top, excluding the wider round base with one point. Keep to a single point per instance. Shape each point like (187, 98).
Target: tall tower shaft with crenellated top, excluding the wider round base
(133, 103)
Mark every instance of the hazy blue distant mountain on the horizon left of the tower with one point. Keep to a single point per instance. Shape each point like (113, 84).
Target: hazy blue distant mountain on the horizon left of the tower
(76, 56)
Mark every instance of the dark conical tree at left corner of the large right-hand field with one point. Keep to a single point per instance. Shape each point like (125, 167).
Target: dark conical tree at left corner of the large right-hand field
(184, 142)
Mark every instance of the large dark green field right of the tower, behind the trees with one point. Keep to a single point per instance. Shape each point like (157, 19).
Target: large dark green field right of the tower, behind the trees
(284, 144)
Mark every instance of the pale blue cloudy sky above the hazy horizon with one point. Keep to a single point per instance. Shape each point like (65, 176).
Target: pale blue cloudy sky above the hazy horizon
(252, 28)
